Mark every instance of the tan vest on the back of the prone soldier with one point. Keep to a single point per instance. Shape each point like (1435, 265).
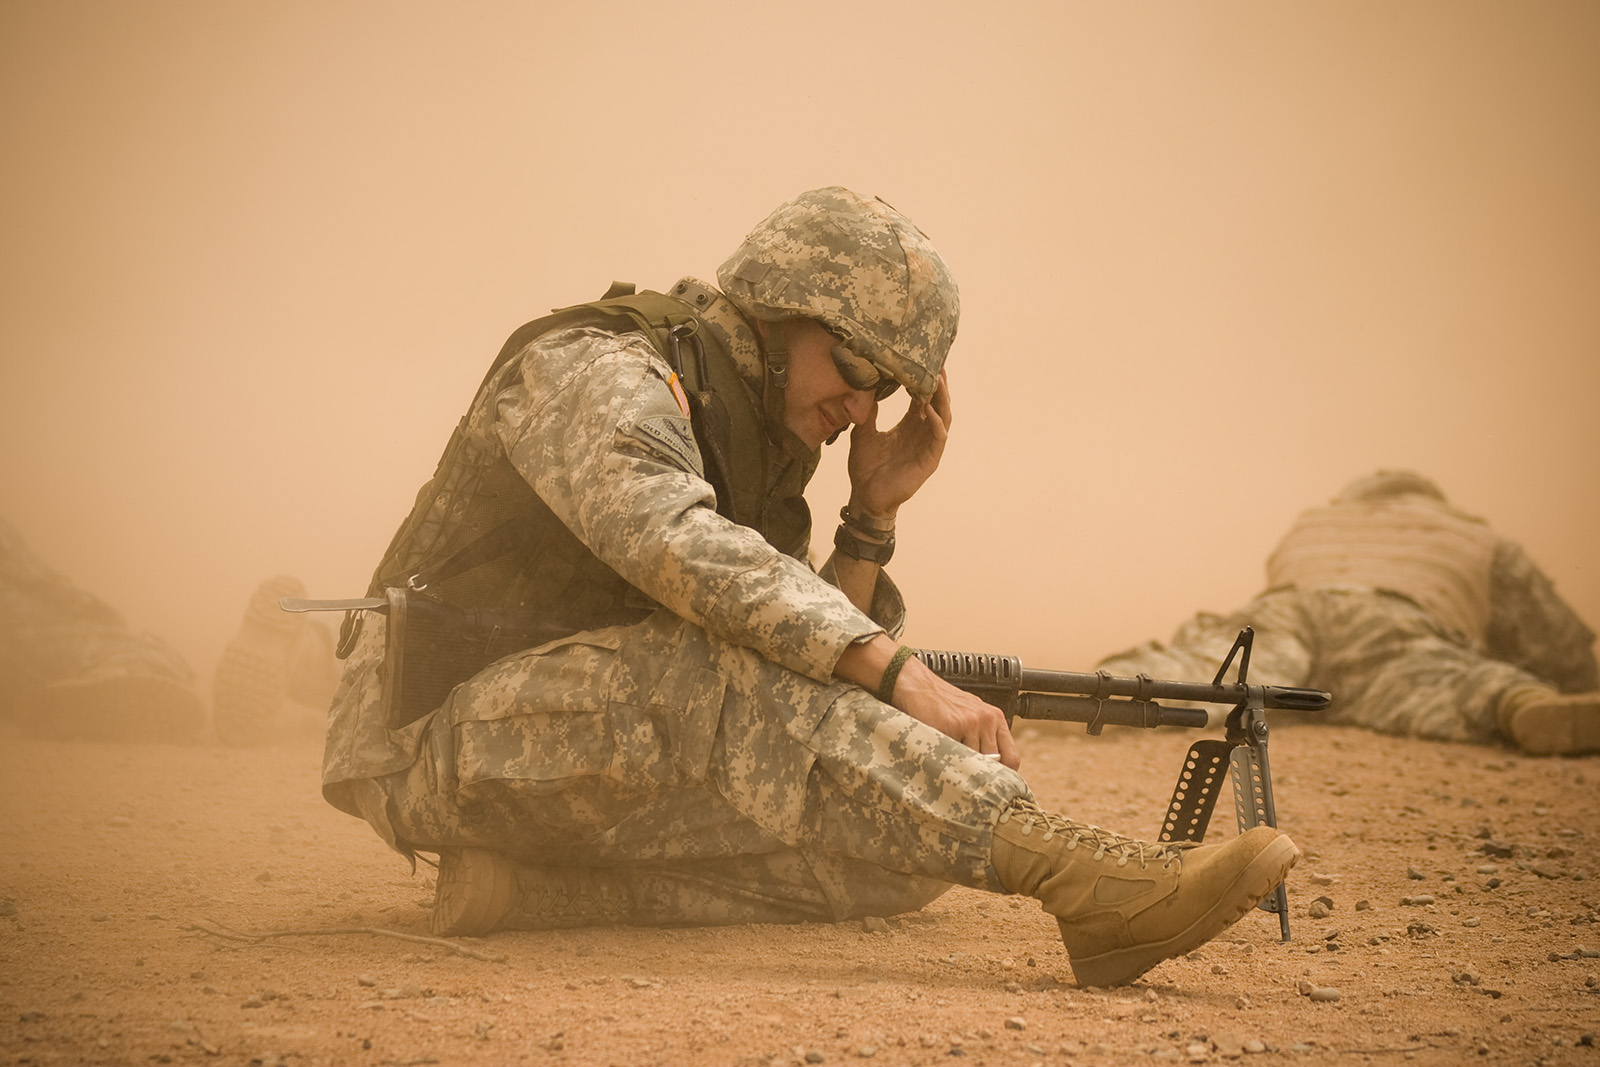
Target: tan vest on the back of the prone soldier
(1420, 549)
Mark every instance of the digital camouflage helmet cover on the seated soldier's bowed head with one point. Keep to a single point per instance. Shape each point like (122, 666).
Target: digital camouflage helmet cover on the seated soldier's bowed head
(860, 268)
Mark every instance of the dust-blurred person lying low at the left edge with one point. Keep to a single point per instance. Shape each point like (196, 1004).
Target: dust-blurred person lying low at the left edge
(71, 668)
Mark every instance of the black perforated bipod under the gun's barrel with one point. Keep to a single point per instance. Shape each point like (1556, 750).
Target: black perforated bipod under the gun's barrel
(1244, 753)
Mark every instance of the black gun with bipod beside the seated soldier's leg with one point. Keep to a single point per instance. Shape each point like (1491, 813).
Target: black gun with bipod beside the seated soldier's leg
(1102, 700)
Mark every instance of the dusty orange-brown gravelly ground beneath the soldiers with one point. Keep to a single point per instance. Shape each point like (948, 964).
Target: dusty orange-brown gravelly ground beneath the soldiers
(114, 855)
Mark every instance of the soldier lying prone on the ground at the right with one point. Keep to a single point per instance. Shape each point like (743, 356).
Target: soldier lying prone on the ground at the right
(1417, 617)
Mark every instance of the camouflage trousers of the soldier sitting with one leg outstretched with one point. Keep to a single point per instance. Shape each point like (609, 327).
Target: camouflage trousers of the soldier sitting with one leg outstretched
(716, 785)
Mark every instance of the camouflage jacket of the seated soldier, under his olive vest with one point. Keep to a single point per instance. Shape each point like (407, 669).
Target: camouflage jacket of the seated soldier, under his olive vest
(591, 428)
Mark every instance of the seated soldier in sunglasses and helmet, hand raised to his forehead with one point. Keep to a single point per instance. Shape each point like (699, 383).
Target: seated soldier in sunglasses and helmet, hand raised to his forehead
(727, 735)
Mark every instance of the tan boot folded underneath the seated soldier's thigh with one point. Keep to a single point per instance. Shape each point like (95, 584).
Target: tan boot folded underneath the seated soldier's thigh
(482, 890)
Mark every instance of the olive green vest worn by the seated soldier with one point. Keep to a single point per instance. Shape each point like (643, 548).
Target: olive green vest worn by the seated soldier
(481, 538)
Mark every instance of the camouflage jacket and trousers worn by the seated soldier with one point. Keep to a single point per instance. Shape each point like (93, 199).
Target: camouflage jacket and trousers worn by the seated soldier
(690, 741)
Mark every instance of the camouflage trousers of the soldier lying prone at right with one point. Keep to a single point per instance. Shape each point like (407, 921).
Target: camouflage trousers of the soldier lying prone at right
(1388, 665)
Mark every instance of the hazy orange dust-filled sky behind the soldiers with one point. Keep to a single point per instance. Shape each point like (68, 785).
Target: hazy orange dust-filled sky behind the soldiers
(1215, 260)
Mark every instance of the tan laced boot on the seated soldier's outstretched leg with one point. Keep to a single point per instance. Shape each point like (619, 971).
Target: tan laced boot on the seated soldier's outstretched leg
(1124, 906)
